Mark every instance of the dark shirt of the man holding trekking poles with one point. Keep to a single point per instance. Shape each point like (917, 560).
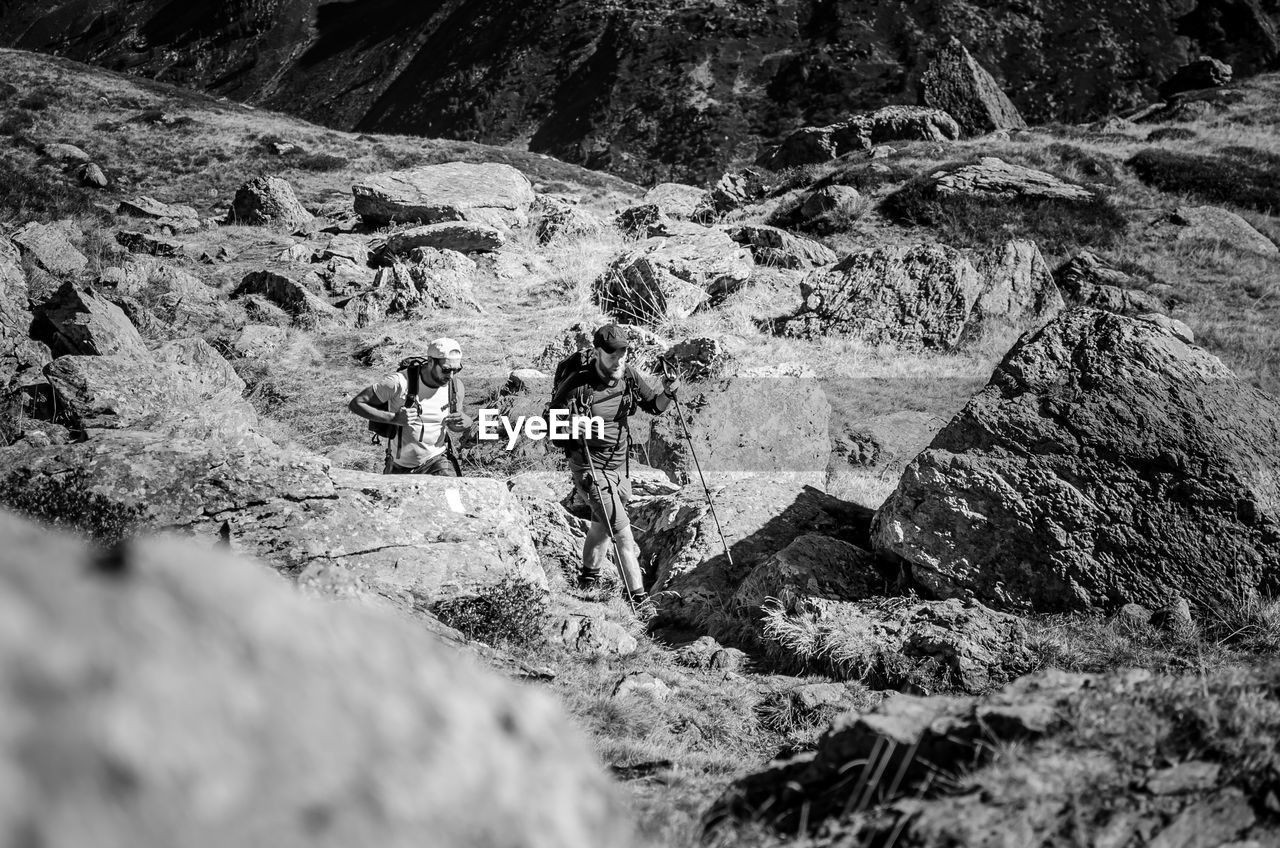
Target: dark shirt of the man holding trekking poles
(611, 404)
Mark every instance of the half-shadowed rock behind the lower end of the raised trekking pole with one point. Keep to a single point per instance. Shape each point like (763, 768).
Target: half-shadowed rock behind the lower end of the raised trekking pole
(760, 516)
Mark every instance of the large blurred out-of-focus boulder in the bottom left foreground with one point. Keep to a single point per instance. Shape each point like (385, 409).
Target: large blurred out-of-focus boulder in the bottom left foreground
(166, 695)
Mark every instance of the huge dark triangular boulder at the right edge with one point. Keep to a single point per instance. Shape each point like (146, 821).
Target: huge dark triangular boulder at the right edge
(1107, 462)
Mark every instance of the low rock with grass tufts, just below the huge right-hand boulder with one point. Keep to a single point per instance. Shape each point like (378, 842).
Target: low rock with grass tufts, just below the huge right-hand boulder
(899, 644)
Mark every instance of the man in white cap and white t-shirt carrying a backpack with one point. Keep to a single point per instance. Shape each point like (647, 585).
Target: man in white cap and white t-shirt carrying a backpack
(419, 412)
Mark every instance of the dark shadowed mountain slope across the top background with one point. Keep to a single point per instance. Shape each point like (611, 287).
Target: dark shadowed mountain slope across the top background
(655, 90)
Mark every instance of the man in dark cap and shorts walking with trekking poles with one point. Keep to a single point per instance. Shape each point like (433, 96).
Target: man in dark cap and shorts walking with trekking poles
(606, 385)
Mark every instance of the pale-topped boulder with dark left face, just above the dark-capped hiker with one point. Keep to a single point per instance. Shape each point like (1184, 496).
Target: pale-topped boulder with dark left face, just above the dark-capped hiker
(669, 279)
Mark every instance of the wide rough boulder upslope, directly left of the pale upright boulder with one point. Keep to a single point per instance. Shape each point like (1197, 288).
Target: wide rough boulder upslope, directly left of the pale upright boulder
(912, 298)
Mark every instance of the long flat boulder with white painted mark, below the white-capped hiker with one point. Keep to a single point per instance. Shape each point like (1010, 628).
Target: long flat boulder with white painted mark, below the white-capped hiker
(412, 540)
